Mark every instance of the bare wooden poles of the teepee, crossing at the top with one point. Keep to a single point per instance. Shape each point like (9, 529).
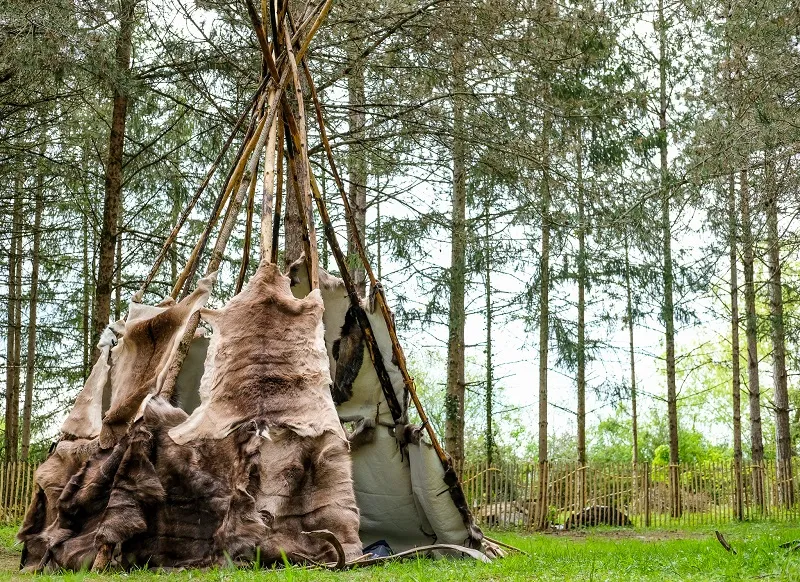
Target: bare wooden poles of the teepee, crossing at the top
(272, 117)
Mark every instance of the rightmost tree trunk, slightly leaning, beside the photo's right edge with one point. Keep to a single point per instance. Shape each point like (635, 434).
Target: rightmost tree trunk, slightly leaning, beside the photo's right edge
(783, 436)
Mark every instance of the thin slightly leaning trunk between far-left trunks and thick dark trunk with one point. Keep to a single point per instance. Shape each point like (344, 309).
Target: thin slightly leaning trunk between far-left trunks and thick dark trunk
(30, 361)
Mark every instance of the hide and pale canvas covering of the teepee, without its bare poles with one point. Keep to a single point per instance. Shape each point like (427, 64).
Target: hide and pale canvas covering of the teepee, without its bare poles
(247, 457)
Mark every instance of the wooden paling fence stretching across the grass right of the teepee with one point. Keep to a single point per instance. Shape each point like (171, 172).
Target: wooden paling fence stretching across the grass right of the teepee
(506, 495)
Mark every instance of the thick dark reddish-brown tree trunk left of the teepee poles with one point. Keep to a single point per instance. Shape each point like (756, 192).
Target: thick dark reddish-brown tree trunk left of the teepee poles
(113, 177)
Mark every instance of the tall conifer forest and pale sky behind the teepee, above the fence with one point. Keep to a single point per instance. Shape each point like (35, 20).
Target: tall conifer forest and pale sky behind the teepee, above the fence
(585, 213)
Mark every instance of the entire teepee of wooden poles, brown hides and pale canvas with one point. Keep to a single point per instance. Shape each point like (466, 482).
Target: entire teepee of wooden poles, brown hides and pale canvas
(283, 434)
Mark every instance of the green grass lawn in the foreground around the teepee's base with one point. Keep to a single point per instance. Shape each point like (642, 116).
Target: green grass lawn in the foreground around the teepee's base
(598, 555)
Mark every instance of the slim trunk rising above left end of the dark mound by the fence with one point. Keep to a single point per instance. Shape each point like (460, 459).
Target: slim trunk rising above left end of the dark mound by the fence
(581, 312)
